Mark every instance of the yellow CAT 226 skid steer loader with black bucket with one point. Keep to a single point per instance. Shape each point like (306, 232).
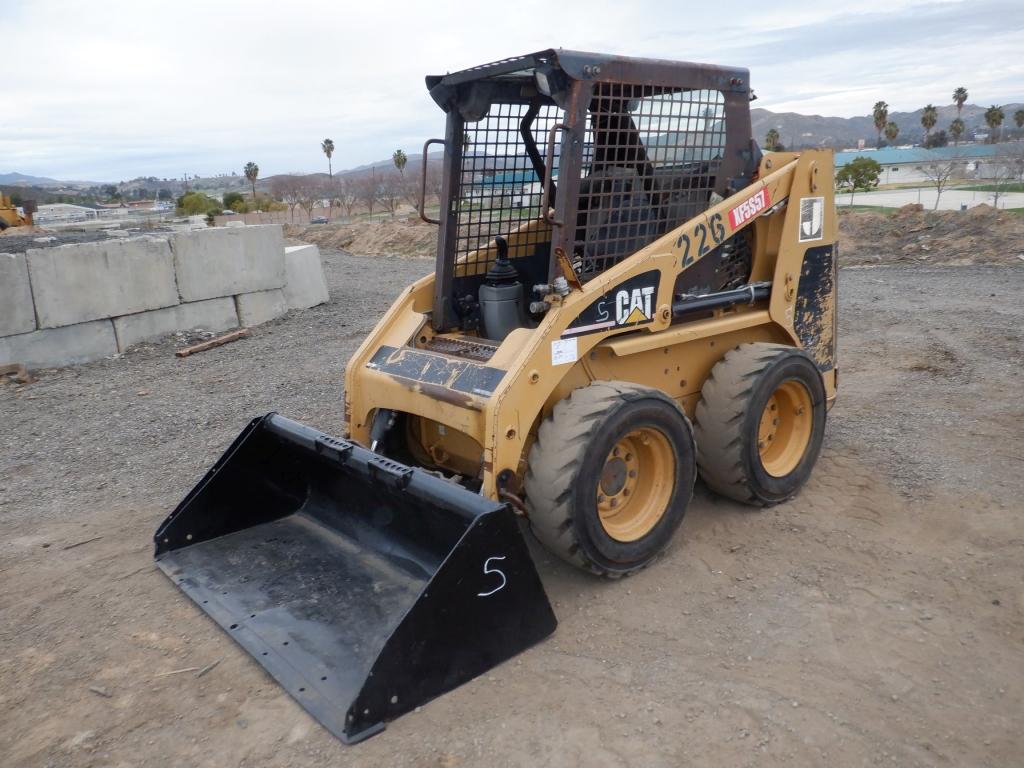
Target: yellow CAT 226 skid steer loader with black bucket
(627, 293)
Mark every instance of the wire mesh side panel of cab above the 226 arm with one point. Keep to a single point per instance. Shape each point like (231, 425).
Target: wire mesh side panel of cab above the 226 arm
(651, 162)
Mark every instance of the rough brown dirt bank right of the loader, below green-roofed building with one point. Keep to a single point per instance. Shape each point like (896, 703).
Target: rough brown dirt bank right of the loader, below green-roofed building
(979, 236)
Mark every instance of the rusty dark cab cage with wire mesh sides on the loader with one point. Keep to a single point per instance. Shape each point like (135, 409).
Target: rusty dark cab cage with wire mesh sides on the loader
(594, 156)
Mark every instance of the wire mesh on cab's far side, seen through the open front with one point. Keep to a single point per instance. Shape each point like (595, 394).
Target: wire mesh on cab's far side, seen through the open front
(500, 191)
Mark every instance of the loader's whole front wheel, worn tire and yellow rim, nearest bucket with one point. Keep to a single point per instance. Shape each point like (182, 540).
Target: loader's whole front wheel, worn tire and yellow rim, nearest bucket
(610, 478)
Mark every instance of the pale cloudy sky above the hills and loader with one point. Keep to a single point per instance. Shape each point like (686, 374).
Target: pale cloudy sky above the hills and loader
(108, 91)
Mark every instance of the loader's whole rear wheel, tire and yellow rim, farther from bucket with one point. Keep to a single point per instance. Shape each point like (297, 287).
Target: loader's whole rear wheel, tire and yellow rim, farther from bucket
(760, 423)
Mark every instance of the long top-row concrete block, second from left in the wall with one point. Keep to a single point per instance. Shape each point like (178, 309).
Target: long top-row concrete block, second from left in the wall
(90, 281)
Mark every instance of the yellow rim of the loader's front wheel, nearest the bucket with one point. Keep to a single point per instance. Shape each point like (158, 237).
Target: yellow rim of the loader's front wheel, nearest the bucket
(636, 485)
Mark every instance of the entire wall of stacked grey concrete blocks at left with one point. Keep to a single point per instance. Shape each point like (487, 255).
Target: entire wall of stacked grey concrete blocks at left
(82, 303)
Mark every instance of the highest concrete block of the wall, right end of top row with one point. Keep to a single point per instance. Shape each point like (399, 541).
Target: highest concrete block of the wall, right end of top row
(226, 262)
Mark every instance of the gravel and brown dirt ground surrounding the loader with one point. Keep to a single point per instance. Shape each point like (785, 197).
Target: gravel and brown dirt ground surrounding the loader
(876, 620)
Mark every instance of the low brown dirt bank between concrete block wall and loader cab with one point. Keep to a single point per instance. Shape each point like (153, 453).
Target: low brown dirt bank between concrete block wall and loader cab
(406, 236)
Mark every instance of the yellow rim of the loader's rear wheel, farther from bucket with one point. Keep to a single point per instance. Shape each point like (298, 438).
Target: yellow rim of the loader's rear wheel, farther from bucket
(786, 429)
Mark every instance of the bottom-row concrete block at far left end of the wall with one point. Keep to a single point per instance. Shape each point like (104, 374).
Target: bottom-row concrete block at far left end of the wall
(61, 347)
